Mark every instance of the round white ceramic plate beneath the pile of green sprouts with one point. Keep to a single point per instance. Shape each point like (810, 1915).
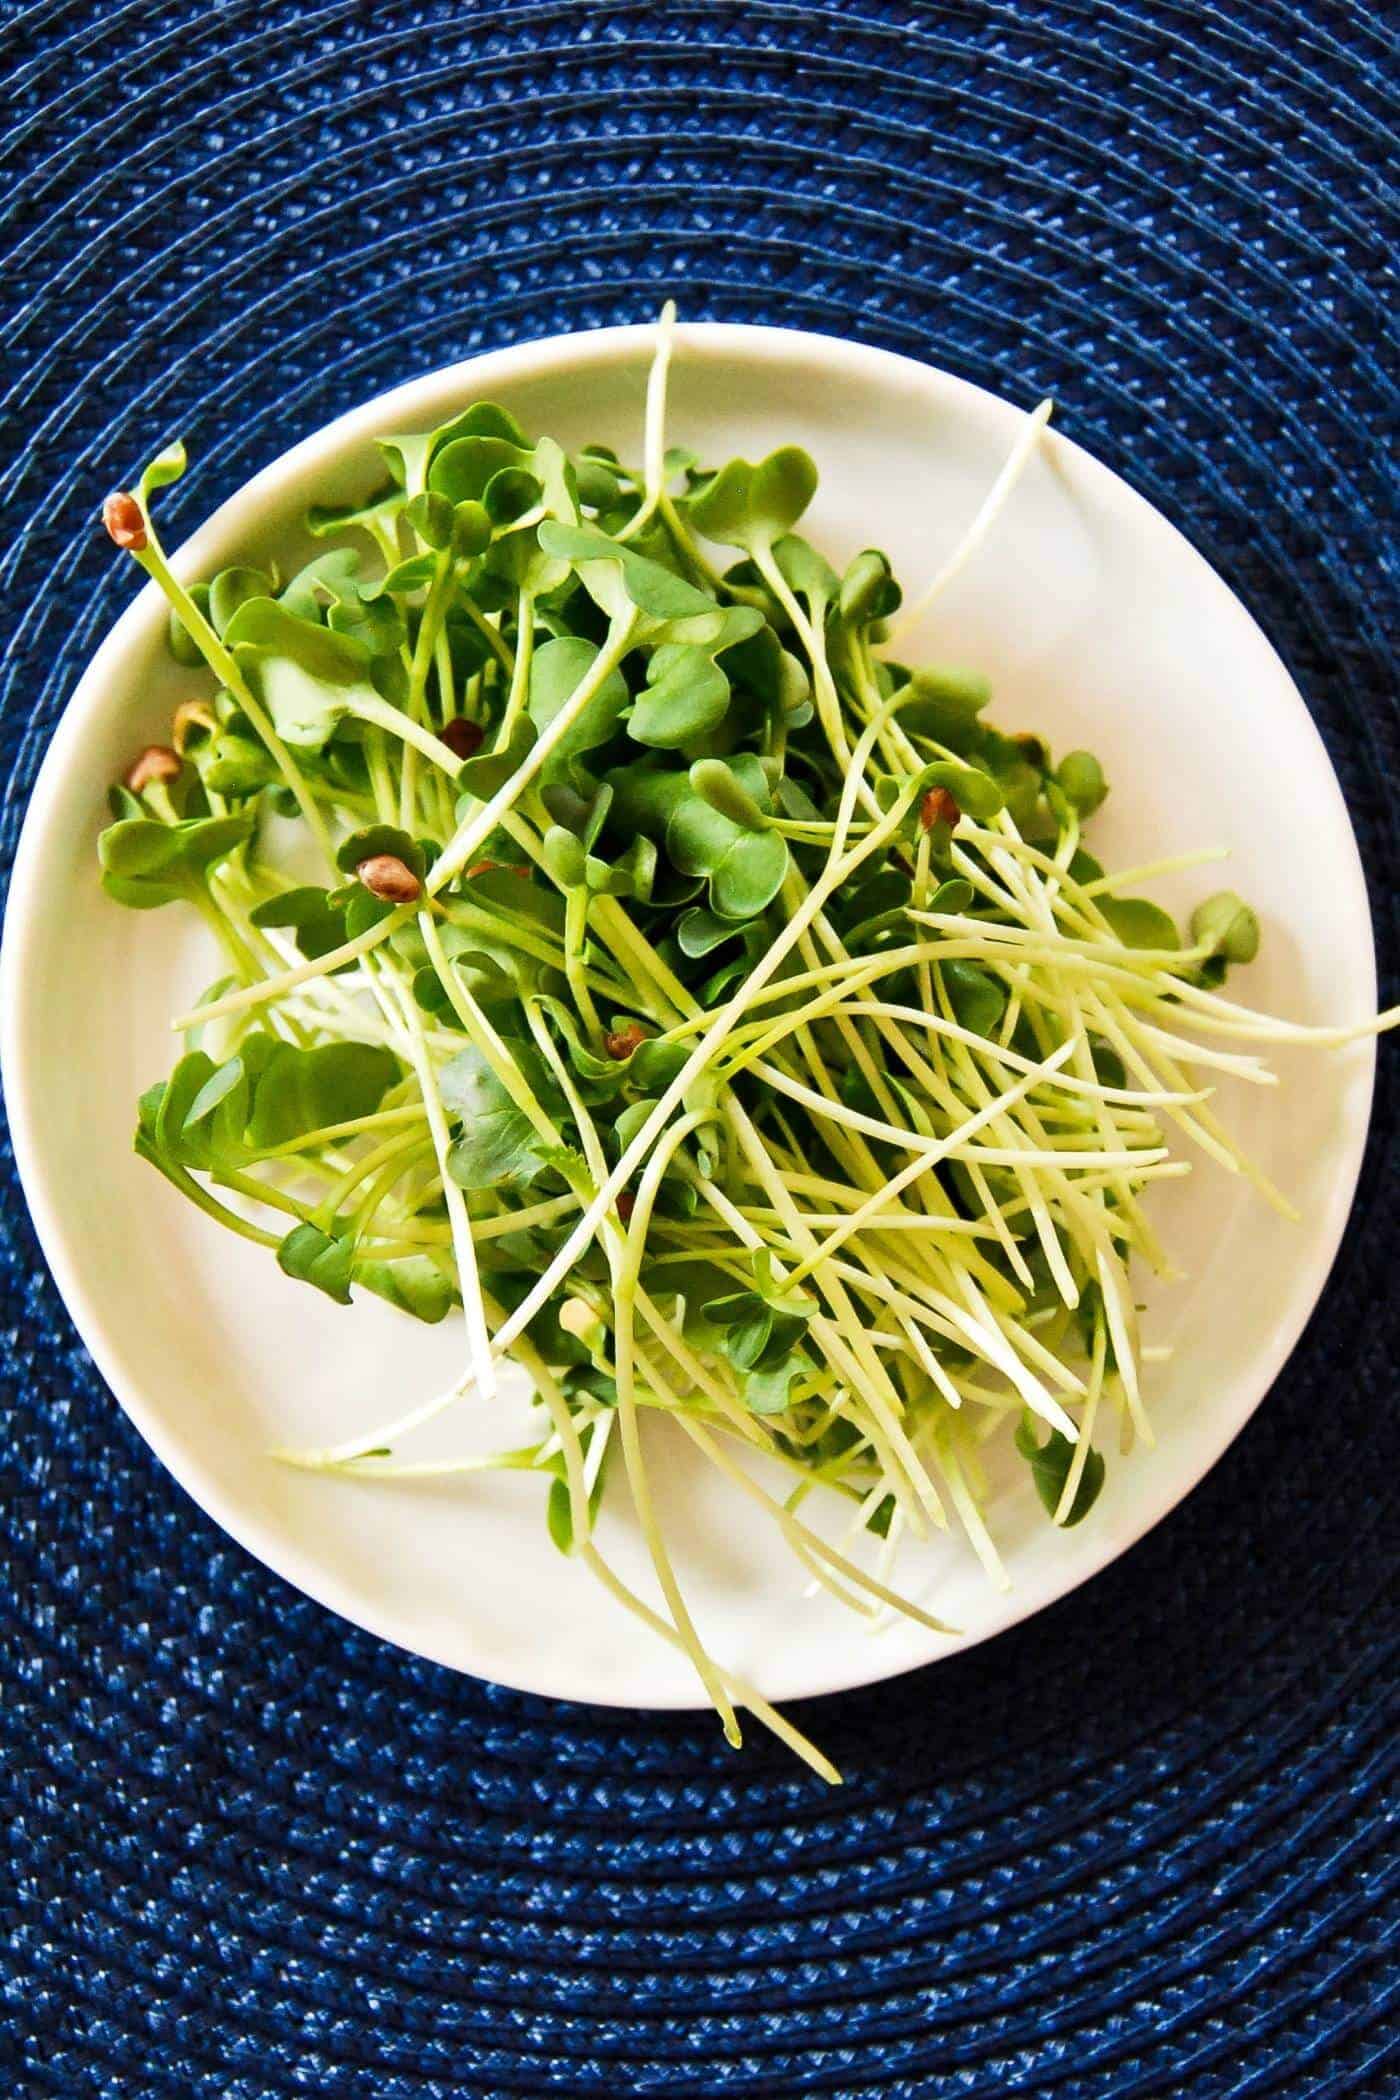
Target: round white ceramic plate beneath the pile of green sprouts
(1099, 627)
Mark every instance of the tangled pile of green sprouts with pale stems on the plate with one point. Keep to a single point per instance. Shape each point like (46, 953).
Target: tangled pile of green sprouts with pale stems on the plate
(704, 1001)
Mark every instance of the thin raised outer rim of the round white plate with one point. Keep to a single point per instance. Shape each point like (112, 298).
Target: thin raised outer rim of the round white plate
(412, 402)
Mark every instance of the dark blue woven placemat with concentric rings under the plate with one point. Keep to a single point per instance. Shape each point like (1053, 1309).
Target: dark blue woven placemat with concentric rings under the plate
(1137, 1847)
